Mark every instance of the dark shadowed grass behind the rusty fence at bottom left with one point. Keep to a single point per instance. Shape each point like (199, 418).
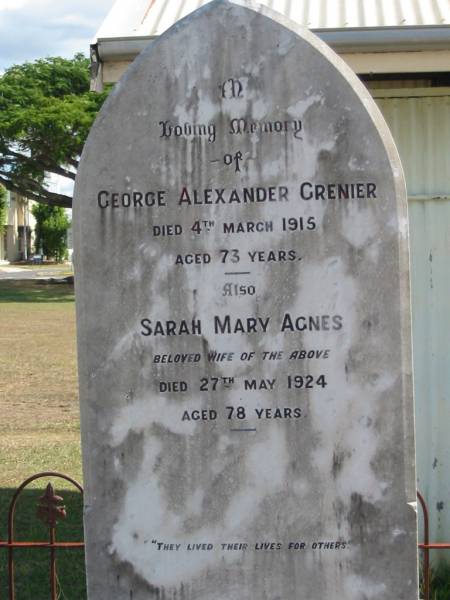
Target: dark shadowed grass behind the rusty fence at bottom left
(32, 566)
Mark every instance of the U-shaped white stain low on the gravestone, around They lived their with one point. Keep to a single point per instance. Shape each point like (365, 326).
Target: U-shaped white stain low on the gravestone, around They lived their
(263, 474)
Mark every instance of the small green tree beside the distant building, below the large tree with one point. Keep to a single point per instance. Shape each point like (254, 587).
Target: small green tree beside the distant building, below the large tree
(52, 224)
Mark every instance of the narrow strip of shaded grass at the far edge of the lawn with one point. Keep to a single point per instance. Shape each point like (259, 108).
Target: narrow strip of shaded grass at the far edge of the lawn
(32, 291)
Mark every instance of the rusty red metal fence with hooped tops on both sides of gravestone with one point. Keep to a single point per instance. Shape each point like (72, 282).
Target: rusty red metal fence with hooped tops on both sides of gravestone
(50, 510)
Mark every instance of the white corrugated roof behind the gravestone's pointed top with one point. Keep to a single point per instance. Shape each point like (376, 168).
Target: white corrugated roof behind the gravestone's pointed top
(152, 17)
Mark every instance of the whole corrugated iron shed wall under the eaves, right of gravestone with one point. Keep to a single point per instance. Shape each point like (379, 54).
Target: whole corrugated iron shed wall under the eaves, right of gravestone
(421, 128)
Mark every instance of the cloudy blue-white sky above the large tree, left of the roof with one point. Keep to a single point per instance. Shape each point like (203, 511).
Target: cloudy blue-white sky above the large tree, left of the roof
(31, 29)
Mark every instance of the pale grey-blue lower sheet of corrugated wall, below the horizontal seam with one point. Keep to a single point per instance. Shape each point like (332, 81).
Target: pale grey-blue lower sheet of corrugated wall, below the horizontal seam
(430, 270)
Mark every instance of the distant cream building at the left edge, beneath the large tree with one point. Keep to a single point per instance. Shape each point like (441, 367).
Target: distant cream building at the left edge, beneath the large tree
(17, 241)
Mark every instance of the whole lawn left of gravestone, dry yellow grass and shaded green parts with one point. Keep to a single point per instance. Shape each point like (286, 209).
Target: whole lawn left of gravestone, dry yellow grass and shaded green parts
(39, 429)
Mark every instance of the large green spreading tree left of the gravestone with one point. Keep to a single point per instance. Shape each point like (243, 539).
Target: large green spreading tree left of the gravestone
(46, 111)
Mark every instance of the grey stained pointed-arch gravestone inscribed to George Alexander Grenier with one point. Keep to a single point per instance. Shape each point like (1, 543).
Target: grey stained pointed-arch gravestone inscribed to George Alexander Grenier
(244, 325)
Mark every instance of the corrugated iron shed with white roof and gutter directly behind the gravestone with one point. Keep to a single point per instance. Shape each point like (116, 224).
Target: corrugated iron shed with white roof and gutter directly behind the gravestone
(401, 51)
